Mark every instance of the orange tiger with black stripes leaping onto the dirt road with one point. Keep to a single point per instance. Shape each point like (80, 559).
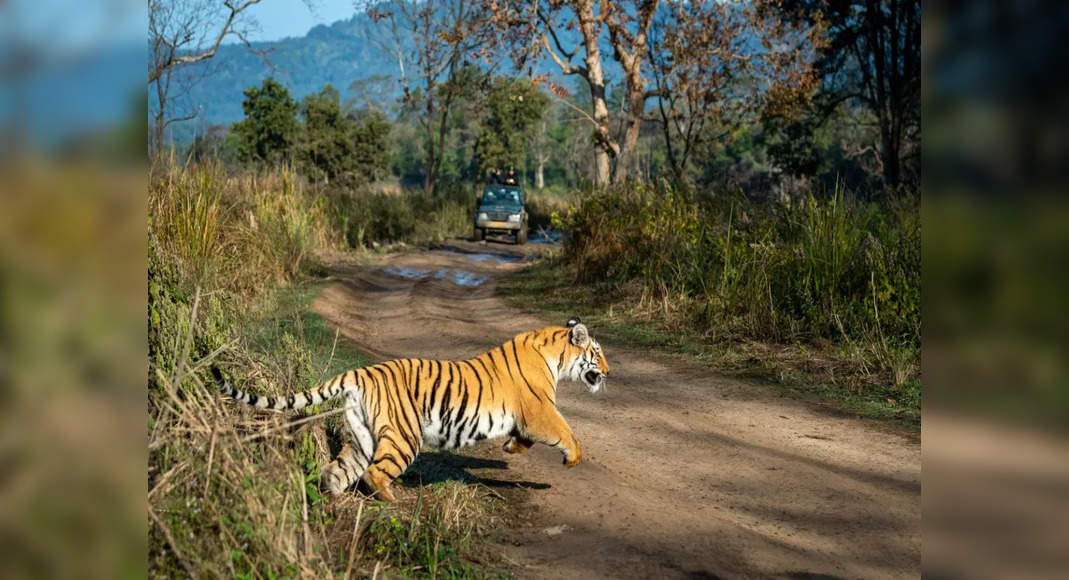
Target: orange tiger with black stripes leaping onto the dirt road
(394, 407)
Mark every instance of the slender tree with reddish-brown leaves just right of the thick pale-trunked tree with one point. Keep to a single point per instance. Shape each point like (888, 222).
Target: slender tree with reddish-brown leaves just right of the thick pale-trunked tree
(716, 66)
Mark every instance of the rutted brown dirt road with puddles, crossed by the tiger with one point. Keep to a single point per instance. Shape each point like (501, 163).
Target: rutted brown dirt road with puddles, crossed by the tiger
(686, 475)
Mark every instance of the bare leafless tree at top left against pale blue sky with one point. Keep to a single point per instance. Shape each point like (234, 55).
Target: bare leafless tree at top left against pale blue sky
(183, 33)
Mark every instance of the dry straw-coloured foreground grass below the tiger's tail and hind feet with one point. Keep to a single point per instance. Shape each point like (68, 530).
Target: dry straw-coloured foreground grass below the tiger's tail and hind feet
(235, 493)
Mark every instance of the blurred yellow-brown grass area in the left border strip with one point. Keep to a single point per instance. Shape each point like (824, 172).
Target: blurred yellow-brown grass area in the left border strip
(72, 365)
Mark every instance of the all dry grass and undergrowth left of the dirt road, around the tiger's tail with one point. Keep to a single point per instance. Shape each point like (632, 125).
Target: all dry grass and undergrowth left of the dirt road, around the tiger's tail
(235, 492)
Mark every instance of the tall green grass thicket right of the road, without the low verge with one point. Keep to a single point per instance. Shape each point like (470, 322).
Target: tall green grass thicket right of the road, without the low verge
(830, 269)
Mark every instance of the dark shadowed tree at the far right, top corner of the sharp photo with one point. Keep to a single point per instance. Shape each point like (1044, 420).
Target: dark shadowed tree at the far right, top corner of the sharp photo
(873, 58)
